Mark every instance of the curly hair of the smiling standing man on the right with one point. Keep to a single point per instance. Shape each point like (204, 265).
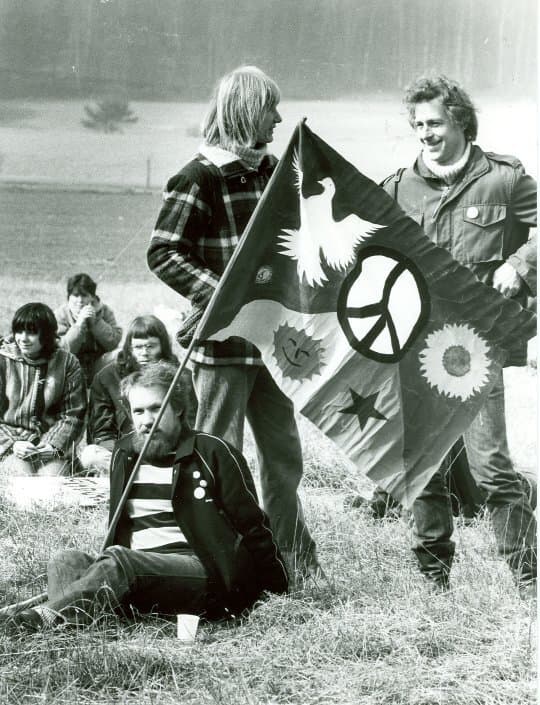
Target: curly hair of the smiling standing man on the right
(455, 100)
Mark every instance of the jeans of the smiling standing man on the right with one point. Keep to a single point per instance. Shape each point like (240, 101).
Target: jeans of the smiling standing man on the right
(512, 517)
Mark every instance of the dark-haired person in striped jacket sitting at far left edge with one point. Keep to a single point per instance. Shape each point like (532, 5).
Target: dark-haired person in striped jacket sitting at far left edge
(42, 396)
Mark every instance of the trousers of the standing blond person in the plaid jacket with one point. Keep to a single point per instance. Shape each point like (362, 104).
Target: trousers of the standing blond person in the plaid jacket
(229, 393)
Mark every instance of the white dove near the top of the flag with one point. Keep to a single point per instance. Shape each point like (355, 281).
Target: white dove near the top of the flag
(320, 235)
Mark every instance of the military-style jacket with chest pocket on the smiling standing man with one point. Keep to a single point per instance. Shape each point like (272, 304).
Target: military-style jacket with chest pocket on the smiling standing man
(483, 219)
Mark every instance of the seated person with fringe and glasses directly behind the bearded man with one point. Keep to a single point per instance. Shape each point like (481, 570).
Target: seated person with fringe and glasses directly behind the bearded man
(147, 341)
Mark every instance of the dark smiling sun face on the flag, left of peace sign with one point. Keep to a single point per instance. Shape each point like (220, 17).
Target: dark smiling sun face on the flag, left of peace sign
(298, 355)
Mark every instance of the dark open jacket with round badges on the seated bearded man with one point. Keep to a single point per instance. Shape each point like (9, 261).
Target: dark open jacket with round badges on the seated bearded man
(215, 506)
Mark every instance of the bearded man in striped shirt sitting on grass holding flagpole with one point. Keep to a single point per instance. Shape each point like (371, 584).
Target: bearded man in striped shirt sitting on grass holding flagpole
(189, 538)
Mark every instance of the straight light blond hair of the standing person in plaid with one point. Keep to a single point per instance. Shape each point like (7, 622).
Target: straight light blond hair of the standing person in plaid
(237, 107)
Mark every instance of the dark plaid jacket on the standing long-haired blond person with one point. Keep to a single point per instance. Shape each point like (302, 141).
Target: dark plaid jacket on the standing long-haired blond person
(206, 207)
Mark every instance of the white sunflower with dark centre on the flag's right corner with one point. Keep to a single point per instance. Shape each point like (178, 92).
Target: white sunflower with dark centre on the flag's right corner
(455, 361)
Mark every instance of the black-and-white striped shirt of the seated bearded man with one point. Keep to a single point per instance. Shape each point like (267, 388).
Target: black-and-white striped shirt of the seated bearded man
(149, 507)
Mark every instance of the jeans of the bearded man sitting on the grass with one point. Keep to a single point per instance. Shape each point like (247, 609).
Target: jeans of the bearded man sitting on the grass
(81, 586)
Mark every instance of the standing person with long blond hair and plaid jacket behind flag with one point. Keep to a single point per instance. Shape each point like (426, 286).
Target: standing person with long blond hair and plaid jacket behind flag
(206, 207)
